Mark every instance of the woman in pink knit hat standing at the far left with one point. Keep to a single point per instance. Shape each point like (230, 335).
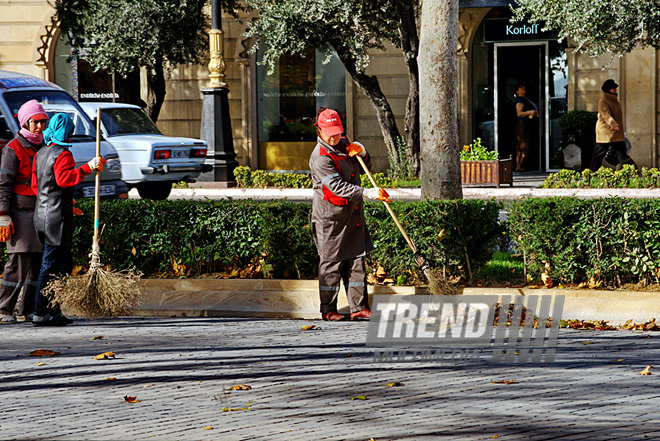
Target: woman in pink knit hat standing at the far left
(17, 201)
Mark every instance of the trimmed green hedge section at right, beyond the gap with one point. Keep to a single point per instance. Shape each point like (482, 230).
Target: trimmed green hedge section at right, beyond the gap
(611, 240)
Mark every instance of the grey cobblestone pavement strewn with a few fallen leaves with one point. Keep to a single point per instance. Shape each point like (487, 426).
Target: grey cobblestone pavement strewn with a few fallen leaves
(182, 372)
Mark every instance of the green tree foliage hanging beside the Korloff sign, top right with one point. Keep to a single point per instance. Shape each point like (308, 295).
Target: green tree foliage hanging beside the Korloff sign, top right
(598, 26)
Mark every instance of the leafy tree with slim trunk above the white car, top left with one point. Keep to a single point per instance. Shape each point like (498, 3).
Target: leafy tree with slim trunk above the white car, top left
(122, 36)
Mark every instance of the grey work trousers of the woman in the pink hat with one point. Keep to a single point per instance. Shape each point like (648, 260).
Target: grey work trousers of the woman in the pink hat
(21, 272)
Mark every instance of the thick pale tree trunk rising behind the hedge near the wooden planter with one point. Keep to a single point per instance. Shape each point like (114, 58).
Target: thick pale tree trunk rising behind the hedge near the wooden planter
(439, 150)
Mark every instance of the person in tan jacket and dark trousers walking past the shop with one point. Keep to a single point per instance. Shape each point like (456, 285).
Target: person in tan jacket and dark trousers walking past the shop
(609, 128)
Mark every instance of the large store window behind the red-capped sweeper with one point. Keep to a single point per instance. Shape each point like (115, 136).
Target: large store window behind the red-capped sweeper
(286, 107)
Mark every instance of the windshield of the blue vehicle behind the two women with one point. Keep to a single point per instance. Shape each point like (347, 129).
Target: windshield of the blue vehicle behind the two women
(54, 101)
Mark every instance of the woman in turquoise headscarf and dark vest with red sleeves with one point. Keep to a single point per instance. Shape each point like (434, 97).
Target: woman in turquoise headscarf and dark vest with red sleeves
(54, 176)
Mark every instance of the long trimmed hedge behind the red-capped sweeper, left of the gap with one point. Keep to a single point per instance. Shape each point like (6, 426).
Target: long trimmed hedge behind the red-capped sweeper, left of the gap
(273, 239)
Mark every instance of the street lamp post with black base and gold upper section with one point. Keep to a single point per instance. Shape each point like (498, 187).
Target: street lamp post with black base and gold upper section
(216, 122)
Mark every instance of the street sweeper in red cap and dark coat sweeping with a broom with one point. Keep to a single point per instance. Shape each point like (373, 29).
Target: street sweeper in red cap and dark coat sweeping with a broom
(338, 224)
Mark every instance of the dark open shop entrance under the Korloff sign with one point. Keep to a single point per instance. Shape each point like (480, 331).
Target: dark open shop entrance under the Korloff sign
(522, 63)
